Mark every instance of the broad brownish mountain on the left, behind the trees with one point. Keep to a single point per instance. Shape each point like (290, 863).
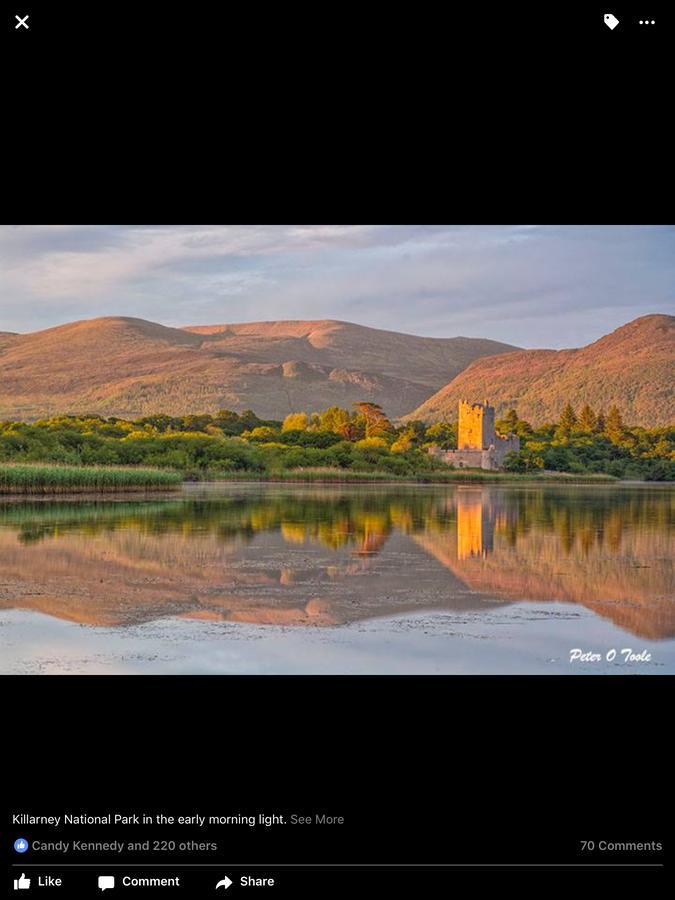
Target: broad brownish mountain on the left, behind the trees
(129, 367)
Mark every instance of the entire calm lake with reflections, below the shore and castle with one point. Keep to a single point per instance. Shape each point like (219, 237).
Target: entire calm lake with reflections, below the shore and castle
(253, 578)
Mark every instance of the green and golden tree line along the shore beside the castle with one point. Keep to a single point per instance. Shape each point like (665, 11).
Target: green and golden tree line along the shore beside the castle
(362, 438)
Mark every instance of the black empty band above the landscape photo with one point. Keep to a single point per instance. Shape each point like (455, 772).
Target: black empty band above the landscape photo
(230, 112)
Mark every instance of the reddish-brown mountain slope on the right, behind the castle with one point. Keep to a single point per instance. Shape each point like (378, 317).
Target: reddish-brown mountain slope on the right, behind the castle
(632, 367)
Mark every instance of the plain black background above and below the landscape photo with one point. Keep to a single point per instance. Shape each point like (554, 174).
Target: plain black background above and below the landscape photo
(490, 113)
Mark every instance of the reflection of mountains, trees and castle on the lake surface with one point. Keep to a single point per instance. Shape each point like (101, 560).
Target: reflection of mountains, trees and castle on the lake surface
(306, 555)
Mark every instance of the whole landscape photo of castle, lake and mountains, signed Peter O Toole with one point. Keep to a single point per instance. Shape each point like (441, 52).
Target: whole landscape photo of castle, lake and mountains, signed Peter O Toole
(337, 449)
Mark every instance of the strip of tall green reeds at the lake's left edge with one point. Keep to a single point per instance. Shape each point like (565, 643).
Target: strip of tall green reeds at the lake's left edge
(16, 478)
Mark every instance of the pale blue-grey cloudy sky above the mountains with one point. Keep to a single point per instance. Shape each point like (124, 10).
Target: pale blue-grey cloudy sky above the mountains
(529, 285)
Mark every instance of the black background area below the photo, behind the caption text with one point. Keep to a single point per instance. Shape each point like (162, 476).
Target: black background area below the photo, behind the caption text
(511, 770)
